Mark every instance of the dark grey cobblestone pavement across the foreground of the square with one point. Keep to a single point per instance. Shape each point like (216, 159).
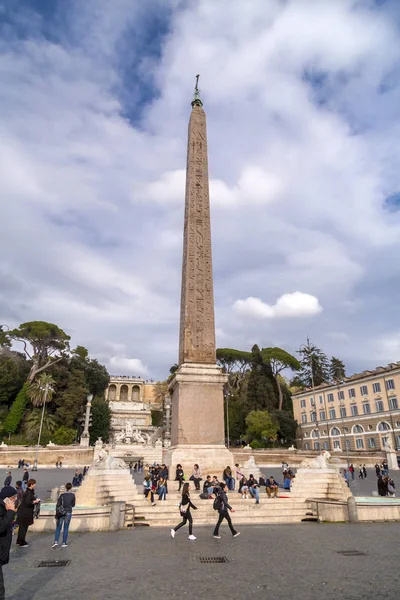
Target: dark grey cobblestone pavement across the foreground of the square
(280, 561)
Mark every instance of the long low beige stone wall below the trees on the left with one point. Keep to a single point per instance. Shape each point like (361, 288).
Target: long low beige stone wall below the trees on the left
(71, 456)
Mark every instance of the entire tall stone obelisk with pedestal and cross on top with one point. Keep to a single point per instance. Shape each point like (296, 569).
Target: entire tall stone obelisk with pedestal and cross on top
(197, 430)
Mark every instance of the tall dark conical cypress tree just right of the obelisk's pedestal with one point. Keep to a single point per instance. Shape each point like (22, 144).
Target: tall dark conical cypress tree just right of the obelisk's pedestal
(261, 388)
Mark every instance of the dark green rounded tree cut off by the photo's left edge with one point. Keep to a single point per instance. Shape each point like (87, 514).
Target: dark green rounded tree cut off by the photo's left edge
(14, 369)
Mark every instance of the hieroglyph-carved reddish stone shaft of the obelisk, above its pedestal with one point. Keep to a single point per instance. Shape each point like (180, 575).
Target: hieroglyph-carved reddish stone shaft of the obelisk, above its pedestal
(197, 328)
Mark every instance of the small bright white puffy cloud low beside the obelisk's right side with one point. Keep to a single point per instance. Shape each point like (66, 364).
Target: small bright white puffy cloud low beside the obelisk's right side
(296, 304)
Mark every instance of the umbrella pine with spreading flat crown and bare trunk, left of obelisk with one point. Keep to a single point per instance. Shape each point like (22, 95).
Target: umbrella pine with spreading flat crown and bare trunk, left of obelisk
(48, 343)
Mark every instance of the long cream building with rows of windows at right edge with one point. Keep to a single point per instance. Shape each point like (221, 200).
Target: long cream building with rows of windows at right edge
(360, 413)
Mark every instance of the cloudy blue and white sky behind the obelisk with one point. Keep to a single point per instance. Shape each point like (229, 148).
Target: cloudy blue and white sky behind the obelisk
(302, 100)
